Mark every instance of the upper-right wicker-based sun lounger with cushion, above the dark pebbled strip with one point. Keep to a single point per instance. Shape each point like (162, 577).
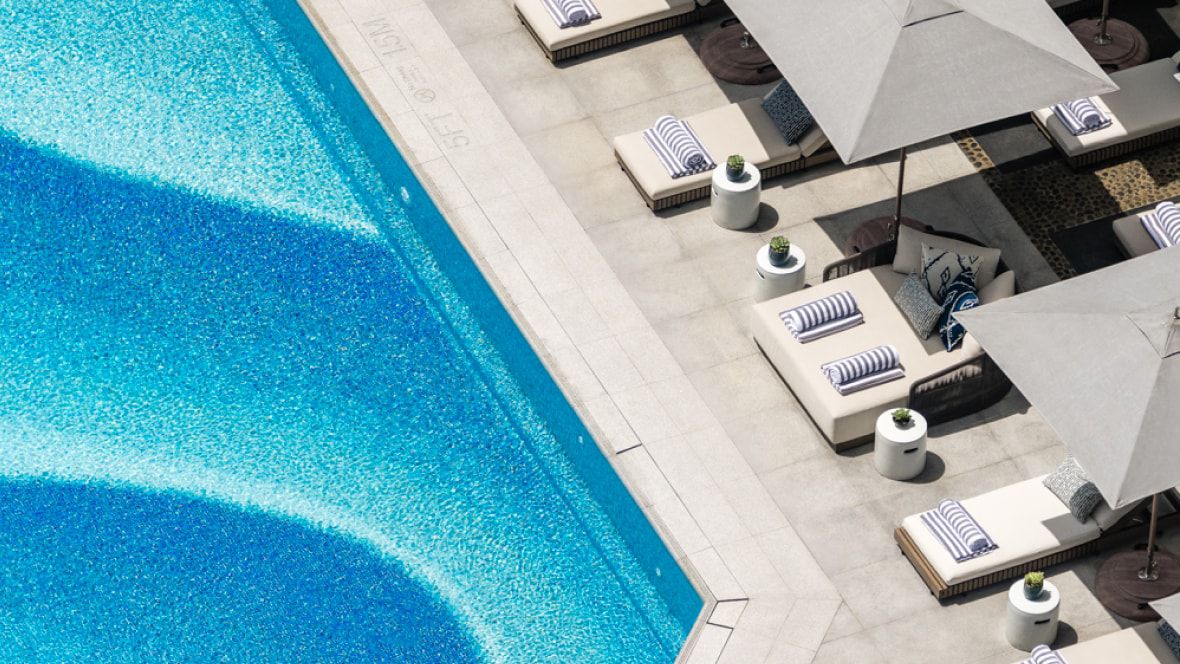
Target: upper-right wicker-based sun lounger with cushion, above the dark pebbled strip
(1145, 111)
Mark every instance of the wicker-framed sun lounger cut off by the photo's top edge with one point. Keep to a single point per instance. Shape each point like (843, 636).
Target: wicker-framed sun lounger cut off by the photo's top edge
(622, 21)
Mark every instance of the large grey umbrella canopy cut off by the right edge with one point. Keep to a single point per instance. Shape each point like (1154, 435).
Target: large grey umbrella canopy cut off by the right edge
(1099, 357)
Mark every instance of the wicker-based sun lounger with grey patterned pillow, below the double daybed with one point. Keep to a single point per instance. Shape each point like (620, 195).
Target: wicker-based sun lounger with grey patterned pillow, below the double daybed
(1032, 529)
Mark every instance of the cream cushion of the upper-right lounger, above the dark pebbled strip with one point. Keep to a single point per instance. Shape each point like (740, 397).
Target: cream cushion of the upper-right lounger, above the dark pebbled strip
(1148, 102)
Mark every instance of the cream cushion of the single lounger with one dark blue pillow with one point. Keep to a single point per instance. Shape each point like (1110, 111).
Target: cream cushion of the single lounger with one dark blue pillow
(736, 129)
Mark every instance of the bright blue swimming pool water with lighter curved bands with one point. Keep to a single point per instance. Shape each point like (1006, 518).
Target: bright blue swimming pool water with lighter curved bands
(257, 404)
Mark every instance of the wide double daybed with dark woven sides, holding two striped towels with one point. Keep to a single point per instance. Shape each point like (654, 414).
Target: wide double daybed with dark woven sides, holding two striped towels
(940, 385)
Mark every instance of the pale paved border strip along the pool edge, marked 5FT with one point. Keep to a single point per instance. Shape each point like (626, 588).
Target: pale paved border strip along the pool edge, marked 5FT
(626, 386)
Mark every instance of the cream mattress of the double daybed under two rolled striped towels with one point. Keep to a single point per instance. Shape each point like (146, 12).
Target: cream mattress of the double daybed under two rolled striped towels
(851, 417)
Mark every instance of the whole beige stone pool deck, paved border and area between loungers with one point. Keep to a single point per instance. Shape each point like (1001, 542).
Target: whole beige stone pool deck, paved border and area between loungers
(641, 318)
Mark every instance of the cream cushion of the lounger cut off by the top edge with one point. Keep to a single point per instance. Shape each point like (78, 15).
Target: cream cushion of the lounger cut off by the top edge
(618, 16)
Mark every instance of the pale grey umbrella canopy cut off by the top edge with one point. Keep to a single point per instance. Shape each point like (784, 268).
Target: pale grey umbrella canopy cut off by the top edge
(883, 75)
